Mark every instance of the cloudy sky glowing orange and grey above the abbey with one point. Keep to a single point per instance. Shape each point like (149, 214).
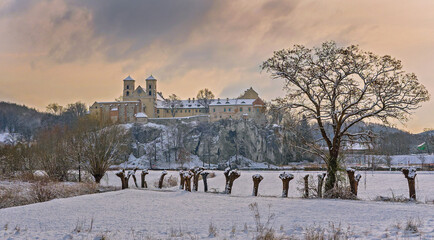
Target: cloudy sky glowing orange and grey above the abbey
(65, 51)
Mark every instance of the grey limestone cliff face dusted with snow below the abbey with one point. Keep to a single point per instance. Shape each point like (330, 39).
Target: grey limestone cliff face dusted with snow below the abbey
(215, 143)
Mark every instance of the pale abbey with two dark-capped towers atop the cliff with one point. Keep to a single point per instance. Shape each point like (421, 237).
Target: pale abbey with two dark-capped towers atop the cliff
(139, 104)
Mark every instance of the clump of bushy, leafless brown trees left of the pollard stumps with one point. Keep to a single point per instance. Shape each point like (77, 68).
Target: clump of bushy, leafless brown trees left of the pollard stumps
(86, 145)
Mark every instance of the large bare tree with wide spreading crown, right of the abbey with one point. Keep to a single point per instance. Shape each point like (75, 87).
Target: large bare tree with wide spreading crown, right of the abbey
(342, 86)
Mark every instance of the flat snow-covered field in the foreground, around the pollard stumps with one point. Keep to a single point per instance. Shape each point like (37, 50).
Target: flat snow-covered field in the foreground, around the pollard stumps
(173, 213)
